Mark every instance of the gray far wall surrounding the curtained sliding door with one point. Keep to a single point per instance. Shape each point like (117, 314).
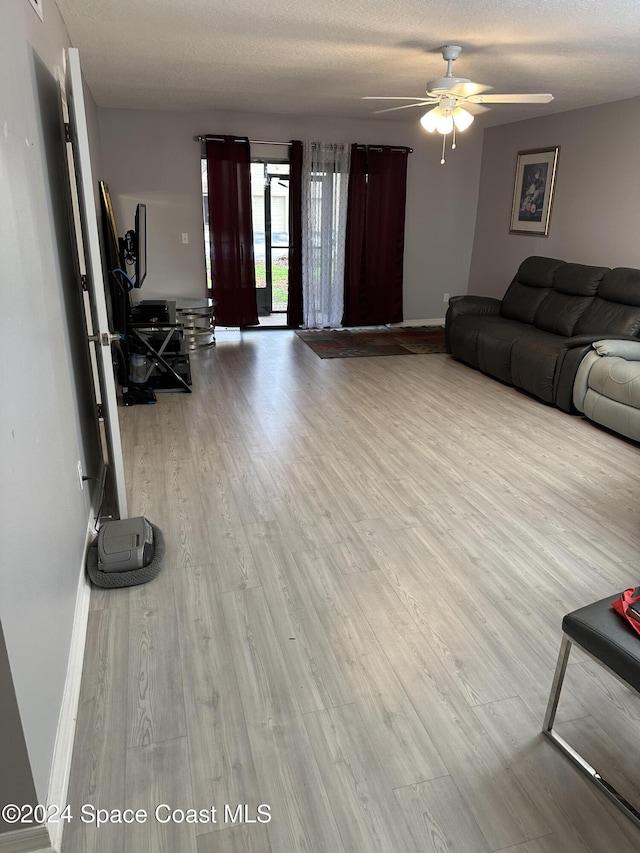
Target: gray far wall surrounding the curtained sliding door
(151, 157)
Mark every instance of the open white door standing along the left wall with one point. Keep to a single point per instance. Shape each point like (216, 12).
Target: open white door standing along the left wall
(90, 262)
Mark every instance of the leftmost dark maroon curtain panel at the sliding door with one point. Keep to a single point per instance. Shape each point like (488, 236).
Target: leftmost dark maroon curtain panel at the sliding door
(231, 234)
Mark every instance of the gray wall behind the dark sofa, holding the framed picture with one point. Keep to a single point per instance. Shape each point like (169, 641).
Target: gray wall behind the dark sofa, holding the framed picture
(595, 212)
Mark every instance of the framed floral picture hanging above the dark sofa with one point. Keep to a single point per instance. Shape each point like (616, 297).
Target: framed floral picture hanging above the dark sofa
(533, 191)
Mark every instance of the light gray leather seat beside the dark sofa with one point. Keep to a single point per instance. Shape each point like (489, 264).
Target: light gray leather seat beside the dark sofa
(607, 386)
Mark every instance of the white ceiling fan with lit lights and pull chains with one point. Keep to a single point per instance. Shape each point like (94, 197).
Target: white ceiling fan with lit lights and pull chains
(450, 93)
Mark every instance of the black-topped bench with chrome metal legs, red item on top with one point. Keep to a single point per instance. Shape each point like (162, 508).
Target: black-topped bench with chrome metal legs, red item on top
(606, 638)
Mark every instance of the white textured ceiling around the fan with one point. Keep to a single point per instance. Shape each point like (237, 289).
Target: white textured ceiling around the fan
(319, 58)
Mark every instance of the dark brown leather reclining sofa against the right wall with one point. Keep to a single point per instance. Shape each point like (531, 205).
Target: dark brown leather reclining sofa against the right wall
(536, 336)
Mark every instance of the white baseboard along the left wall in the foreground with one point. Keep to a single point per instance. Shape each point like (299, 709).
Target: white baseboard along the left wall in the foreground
(63, 749)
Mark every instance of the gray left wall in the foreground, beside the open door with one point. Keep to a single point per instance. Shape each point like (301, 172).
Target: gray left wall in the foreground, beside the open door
(47, 422)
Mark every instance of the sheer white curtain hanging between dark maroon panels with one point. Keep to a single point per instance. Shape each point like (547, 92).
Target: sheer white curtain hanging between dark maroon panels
(325, 186)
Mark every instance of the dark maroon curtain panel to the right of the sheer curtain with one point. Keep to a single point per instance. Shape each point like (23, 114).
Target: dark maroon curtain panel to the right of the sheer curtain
(375, 235)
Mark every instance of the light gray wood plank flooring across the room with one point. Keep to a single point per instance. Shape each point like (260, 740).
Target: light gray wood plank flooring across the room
(355, 631)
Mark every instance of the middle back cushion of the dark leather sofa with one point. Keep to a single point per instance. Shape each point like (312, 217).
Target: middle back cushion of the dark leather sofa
(574, 289)
